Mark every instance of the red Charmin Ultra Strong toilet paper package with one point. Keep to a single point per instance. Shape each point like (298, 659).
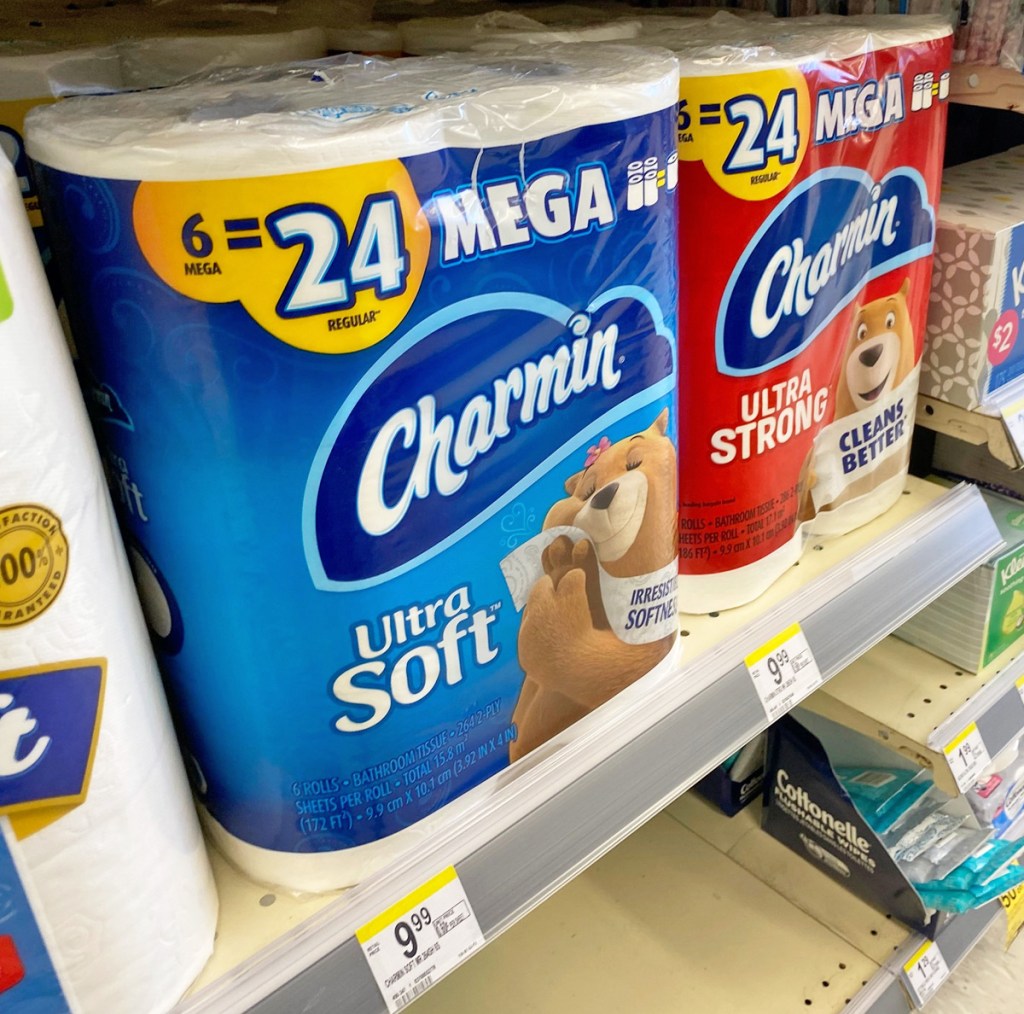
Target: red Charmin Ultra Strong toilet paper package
(809, 168)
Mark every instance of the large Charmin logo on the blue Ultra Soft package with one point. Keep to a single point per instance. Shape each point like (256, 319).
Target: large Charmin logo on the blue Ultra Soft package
(428, 448)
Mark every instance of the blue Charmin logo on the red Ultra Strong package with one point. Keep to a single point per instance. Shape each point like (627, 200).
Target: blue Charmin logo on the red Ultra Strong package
(833, 234)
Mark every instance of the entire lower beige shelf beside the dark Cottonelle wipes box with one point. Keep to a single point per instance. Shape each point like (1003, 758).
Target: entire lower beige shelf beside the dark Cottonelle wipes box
(697, 912)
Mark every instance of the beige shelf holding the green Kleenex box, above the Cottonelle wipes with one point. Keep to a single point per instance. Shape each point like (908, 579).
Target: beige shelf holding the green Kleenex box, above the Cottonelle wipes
(917, 704)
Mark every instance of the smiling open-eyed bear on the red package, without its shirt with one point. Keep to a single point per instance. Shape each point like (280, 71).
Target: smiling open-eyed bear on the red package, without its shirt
(880, 355)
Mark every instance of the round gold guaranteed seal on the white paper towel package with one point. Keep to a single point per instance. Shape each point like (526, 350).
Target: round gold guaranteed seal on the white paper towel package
(33, 563)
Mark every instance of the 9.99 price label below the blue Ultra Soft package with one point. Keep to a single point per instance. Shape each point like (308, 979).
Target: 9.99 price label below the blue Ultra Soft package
(420, 940)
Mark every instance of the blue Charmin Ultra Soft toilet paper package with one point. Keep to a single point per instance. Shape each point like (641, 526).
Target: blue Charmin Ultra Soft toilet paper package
(302, 279)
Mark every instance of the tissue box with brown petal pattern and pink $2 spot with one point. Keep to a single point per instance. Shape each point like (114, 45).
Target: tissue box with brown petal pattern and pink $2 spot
(974, 344)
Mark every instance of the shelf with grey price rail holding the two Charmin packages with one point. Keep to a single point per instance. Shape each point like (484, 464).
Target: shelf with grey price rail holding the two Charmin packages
(532, 831)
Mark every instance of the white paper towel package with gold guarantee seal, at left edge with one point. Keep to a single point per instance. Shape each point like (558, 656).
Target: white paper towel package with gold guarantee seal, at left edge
(100, 822)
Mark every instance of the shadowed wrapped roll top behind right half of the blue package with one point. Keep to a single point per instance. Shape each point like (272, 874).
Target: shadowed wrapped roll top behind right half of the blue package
(425, 36)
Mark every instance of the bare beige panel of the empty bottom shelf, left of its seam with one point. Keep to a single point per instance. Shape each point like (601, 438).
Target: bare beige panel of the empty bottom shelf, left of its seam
(665, 923)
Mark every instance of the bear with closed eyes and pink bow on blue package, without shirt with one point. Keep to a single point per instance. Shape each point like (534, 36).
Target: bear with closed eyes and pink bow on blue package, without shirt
(625, 501)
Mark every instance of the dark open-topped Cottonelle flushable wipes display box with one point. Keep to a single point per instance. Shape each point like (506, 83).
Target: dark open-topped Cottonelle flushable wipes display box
(809, 812)
